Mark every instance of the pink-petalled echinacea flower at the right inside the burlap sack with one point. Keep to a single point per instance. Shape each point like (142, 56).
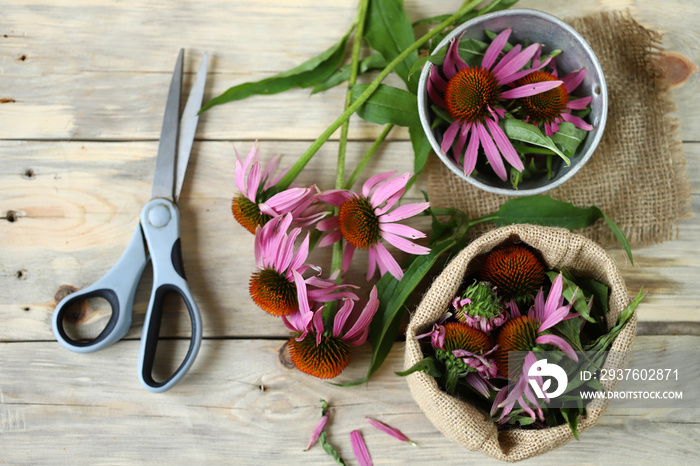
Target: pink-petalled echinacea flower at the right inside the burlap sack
(522, 333)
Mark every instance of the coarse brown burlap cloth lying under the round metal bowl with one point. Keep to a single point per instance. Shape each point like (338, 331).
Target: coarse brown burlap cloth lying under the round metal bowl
(637, 176)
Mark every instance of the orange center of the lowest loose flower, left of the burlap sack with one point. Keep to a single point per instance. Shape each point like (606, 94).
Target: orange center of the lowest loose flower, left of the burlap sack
(324, 361)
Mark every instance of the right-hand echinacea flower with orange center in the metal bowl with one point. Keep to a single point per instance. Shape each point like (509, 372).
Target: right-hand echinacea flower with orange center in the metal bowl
(554, 106)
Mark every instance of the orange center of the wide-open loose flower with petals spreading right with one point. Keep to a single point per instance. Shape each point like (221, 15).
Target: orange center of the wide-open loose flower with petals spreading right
(358, 222)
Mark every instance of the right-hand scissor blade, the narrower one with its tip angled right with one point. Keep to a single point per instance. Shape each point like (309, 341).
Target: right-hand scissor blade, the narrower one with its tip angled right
(188, 125)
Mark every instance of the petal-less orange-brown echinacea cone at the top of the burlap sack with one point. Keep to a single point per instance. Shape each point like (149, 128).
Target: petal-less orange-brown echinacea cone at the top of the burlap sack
(515, 271)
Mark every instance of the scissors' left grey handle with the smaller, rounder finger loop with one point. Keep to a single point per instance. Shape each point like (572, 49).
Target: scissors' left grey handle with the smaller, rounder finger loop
(117, 287)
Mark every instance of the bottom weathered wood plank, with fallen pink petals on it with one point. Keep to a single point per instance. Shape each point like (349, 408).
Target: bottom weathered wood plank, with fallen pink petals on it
(241, 403)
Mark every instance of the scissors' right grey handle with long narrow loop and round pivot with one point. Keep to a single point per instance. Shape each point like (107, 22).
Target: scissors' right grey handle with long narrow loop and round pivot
(160, 222)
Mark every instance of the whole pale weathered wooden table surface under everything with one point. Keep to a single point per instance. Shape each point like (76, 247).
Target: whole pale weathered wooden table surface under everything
(82, 90)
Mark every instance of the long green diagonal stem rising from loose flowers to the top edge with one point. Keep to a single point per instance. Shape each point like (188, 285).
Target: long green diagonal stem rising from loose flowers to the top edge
(294, 171)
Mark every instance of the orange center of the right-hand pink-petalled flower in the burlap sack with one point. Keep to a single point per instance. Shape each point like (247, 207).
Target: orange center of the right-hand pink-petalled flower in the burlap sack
(517, 334)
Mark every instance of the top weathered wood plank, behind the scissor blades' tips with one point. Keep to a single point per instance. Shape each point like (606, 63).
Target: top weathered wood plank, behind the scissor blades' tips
(75, 83)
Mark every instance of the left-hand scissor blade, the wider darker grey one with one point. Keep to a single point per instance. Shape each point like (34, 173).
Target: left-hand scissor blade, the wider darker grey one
(164, 177)
